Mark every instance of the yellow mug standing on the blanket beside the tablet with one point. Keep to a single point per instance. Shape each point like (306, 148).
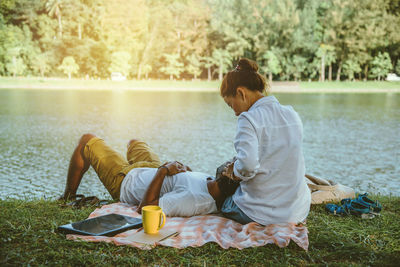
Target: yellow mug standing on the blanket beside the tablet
(153, 219)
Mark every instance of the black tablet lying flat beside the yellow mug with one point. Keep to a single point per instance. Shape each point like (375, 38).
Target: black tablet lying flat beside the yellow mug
(106, 225)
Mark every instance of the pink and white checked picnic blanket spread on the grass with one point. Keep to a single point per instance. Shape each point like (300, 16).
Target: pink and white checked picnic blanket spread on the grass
(198, 230)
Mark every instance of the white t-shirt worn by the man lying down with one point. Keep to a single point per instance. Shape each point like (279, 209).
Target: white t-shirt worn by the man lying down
(184, 194)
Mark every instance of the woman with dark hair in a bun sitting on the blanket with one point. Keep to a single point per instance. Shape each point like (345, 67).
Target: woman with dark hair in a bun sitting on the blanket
(269, 161)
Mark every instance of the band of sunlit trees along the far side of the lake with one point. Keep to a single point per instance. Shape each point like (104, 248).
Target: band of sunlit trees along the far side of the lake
(290, 39)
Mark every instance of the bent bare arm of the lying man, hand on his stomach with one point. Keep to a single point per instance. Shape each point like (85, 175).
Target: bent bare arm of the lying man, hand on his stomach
(152, 194)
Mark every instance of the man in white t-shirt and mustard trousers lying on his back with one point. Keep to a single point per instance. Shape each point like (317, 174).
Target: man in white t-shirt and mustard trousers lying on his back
(142, 180)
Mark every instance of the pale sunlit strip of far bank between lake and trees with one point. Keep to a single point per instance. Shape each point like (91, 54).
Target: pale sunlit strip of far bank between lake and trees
(198, 85)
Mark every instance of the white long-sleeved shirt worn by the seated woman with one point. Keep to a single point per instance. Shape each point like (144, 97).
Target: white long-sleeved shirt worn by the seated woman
(270, 163)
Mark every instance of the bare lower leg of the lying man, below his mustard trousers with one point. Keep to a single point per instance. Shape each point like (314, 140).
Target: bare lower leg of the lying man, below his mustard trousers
(78, 165)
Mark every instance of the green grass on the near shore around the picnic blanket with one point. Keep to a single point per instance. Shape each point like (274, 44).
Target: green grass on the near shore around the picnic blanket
(28, 237)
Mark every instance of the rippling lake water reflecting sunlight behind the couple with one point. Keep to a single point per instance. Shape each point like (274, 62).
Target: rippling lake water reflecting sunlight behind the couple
(349, 138)
